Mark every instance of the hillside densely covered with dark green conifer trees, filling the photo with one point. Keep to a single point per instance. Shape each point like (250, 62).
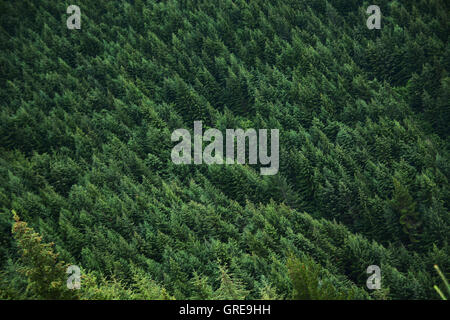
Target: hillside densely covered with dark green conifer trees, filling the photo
(86, 118)
